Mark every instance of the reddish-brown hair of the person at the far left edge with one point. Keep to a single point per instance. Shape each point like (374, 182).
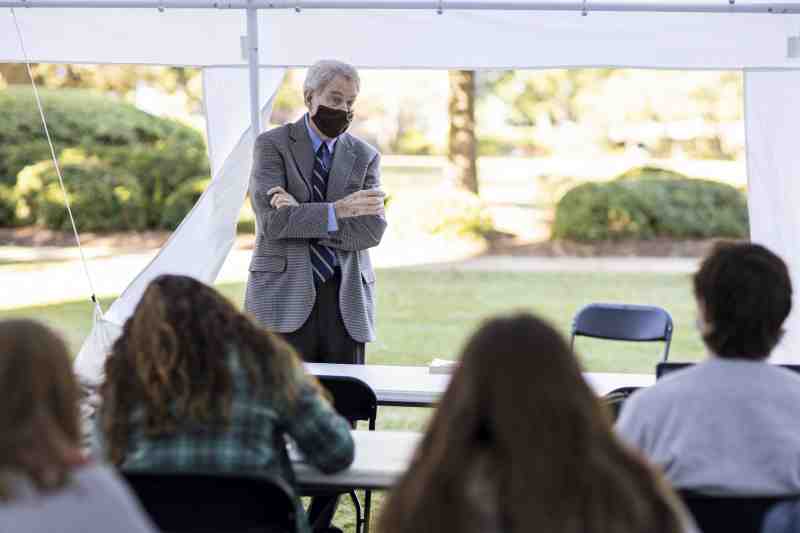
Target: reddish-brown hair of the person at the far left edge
(39, 419)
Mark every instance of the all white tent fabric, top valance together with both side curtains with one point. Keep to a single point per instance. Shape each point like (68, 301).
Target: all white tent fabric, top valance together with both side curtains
(752, 36)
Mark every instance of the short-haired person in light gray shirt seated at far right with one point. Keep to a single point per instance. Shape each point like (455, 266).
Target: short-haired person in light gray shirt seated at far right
(728, 425)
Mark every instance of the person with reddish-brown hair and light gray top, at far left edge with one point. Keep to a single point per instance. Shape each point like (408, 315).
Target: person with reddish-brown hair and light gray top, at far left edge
(46, 484)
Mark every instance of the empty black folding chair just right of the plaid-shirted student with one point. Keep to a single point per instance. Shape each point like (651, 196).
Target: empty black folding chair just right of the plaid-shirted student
(355, 401)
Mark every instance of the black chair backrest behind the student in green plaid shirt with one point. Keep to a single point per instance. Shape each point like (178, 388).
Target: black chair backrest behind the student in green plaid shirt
(211, 502)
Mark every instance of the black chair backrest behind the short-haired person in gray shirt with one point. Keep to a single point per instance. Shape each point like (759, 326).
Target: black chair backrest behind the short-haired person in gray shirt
(715, 514)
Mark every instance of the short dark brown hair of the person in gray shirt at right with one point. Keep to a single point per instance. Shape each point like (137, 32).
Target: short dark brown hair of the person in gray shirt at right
(745, 293)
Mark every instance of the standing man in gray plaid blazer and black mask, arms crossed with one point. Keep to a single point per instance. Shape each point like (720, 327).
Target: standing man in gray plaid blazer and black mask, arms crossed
(315, 192)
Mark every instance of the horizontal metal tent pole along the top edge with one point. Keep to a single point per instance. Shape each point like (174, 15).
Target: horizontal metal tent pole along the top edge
(732, 6)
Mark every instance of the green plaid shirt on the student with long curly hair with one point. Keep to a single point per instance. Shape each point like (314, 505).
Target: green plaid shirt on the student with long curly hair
(254, 438)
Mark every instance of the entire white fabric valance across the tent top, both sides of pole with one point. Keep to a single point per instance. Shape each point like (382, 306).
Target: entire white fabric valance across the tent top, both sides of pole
(405, 38)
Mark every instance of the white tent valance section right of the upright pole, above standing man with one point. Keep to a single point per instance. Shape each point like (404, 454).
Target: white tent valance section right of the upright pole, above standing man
(490, 39)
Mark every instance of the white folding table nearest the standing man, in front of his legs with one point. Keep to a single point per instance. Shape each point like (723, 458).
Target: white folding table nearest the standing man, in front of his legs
(415, 386)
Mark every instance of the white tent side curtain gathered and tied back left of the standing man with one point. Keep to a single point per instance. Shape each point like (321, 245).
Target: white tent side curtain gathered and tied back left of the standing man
(201, 243)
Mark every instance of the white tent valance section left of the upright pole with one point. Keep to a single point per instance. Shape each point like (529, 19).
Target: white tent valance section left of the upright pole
(125, 36)
